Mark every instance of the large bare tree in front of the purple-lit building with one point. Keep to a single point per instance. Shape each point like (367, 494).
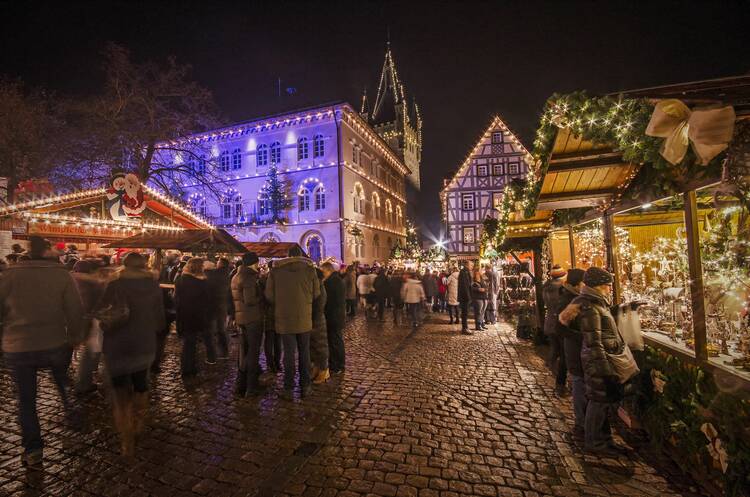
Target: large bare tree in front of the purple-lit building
(145, 121)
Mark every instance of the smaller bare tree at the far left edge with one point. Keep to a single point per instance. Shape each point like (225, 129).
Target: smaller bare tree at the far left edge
(27, 132)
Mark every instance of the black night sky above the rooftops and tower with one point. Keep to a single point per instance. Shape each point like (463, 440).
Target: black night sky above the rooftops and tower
(462, 61)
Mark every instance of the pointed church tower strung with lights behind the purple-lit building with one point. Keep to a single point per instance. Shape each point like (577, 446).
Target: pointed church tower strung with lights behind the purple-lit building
(397, 120)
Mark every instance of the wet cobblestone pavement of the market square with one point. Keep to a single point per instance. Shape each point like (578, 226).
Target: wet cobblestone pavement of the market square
(425, 413)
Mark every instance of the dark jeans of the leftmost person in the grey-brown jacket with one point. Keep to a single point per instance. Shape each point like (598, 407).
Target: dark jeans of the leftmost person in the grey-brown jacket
(23, 368)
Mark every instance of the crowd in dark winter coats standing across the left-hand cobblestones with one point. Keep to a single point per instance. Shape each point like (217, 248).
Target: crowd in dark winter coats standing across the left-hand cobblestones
(119, 312)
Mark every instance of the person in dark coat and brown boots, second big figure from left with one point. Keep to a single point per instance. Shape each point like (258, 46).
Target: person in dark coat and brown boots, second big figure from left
(129, 349)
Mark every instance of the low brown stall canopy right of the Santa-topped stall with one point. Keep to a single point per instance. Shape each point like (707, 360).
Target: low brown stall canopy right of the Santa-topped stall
(202, 240)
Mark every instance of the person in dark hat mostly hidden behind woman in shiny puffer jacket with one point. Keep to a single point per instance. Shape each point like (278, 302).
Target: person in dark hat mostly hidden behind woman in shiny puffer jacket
(567, 329)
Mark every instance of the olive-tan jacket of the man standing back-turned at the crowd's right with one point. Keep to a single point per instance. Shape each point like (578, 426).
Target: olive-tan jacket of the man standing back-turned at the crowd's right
(292, 287)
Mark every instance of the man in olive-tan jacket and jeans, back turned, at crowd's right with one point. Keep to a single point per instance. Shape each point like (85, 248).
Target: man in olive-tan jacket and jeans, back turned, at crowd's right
(292, 288)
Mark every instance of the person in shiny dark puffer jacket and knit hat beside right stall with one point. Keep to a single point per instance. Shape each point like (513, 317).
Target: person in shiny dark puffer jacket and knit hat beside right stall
(600, 337)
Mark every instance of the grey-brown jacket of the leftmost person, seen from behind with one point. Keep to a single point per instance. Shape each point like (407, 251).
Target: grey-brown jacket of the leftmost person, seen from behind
(40, 306)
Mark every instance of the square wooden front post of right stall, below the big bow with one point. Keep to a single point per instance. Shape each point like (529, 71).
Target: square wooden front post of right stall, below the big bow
(696, 275)
